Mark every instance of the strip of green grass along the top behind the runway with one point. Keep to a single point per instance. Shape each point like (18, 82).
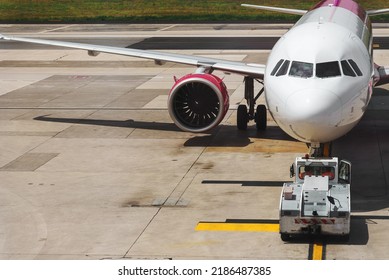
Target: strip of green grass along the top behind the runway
(153, 10)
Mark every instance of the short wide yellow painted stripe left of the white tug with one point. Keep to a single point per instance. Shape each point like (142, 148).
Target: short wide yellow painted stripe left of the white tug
(238, 227)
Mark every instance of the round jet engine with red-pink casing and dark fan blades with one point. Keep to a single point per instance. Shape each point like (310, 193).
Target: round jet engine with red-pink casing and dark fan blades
(198, 102)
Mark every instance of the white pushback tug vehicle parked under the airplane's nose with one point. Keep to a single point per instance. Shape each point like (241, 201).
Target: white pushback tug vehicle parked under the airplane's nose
(318, 201)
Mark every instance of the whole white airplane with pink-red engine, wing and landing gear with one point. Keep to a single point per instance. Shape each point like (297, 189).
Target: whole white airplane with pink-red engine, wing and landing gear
(318, 79)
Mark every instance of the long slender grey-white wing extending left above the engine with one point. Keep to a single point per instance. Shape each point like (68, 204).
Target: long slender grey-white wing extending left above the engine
(252, 70)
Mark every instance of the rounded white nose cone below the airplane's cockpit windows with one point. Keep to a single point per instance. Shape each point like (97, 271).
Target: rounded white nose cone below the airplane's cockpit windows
(313, 115)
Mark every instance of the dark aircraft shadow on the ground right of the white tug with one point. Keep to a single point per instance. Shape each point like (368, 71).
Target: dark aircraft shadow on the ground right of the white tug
(367, 147)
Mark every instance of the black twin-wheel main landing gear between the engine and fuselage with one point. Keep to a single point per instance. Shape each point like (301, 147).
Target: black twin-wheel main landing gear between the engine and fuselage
(259, 115)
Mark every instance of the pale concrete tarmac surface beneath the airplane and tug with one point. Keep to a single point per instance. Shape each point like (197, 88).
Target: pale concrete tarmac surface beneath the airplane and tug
(92, 167)
